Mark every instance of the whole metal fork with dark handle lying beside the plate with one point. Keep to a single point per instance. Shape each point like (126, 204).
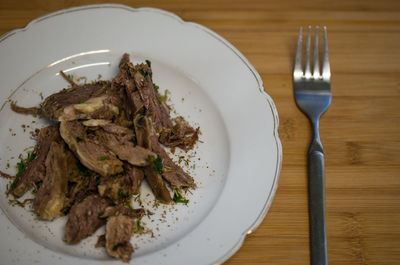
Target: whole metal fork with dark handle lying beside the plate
(312, 92)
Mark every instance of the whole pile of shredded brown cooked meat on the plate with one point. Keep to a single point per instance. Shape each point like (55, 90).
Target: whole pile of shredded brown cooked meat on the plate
(108, 137)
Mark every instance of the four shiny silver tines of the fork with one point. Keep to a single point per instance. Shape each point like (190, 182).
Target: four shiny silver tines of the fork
(316, 74)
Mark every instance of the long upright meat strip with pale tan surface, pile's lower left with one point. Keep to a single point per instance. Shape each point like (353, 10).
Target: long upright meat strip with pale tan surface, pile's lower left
(49, 199)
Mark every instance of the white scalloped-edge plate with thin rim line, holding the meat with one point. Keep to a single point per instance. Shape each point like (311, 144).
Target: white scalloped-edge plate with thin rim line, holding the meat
(240, 157)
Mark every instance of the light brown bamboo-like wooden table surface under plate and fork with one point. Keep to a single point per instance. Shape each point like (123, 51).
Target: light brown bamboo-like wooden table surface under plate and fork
(360, 131)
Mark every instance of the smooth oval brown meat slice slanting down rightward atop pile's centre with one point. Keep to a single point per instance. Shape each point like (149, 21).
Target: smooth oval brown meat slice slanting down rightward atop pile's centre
(89, 150)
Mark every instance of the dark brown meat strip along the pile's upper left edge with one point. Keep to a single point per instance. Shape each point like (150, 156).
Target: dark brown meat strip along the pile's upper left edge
(54, 105)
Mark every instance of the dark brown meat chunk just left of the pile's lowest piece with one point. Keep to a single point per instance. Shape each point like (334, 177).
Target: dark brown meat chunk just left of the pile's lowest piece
(84, 218)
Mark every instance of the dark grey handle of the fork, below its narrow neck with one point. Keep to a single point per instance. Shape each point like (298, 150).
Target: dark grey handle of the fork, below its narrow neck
(316, 171)
